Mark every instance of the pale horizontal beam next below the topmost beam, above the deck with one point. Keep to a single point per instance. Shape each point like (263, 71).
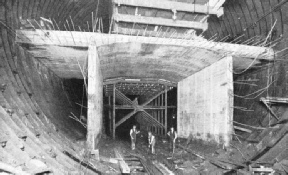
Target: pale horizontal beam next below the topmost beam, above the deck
(160, 21)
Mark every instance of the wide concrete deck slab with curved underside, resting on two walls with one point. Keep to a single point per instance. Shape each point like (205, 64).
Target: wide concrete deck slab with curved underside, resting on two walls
(134, 56)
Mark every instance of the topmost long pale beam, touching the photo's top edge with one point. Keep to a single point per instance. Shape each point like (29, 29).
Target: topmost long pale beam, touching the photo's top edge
(169, 5)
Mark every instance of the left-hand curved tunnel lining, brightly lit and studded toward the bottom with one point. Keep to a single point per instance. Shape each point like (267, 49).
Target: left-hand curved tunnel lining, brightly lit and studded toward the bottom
(35, 106)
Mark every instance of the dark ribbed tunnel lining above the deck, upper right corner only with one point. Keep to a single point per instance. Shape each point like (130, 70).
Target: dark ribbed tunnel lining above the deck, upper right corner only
(250, 18)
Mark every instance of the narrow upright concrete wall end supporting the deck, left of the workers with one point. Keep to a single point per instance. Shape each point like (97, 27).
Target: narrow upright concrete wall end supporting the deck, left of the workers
(95, 99)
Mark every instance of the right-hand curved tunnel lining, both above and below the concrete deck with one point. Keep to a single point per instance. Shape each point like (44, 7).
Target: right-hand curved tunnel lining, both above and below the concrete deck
(255, 19)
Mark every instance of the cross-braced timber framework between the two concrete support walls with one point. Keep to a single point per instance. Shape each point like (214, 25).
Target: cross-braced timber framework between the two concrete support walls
(151, 112)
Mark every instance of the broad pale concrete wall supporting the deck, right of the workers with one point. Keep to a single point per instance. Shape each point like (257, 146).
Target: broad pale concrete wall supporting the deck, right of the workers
(205, 103)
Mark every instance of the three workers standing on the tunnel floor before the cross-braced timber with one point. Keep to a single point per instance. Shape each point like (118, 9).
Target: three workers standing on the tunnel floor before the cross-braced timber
(152, 140)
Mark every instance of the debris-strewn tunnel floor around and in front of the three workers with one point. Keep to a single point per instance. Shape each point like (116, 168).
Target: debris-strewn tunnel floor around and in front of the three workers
(189, 157)
